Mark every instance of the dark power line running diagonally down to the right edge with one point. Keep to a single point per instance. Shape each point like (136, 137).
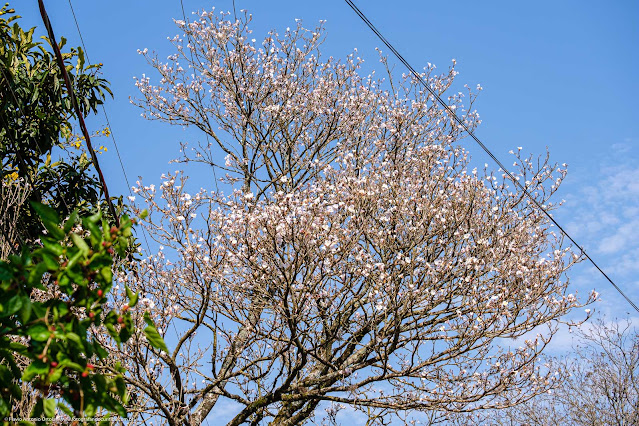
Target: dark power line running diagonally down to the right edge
(455, 117)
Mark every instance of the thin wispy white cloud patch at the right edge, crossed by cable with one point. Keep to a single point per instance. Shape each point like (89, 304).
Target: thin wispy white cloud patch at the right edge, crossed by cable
(602, 213)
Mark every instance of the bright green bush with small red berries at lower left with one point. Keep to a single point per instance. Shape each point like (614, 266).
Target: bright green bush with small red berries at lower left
(77, 265)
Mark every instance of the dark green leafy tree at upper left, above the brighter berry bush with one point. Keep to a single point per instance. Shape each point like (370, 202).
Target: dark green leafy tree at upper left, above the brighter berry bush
(36, 117)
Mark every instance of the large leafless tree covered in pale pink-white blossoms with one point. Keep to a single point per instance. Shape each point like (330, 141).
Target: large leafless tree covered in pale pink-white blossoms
(357, 261)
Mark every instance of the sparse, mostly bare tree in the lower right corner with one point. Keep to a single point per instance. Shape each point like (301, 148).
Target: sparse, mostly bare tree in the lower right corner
(601, 389)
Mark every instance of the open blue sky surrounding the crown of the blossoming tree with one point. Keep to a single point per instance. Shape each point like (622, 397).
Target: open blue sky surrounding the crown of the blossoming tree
(561, 75)
